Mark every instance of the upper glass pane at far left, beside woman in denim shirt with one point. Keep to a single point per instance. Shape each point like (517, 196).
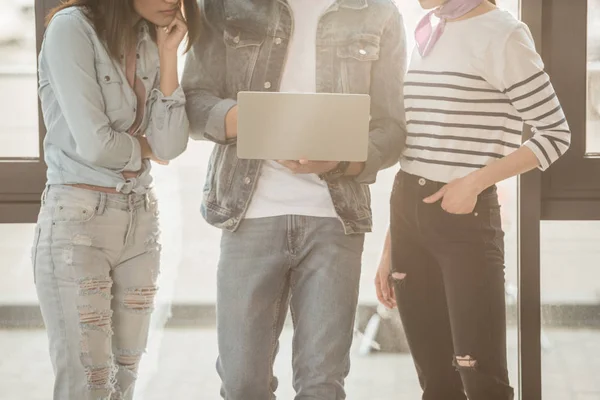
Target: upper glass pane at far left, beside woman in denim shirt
(19, 135)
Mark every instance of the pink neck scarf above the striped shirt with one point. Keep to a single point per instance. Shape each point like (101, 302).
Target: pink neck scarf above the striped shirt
(425, 35)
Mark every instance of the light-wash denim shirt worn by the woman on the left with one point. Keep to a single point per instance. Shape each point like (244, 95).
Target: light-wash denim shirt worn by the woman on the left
(88, 108)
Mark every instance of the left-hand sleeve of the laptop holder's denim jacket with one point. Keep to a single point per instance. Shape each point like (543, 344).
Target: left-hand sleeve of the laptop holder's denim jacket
(204, 80)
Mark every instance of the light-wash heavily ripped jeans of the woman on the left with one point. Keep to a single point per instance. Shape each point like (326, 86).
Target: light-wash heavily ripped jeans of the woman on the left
(96, 262)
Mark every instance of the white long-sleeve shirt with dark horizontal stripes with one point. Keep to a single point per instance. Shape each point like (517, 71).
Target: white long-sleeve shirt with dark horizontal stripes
(467, 101)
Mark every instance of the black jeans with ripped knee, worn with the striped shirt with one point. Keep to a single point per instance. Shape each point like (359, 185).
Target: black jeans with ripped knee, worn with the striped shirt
(451, 300)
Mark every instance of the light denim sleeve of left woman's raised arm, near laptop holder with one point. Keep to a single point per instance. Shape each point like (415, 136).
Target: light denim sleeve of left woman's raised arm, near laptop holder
(168, 130)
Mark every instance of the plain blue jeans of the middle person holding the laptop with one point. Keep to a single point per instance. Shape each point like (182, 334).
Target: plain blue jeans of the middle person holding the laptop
(308, 264)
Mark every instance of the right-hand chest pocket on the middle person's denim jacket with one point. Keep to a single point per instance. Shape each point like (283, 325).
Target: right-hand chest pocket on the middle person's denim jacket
(355, 58)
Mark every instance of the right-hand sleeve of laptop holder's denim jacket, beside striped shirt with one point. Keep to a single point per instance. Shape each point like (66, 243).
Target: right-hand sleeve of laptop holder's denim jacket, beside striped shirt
(388, 121)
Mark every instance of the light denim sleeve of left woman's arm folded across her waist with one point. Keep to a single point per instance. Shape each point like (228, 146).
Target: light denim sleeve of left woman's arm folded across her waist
(70, 61)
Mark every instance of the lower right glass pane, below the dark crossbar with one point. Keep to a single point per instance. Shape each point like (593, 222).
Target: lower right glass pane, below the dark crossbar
(570, 310)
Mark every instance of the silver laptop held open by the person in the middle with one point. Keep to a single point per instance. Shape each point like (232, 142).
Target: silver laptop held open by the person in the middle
(303, 126)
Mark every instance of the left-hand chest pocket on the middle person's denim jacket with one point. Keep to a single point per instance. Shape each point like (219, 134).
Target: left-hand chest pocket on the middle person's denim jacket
(242, 51)
